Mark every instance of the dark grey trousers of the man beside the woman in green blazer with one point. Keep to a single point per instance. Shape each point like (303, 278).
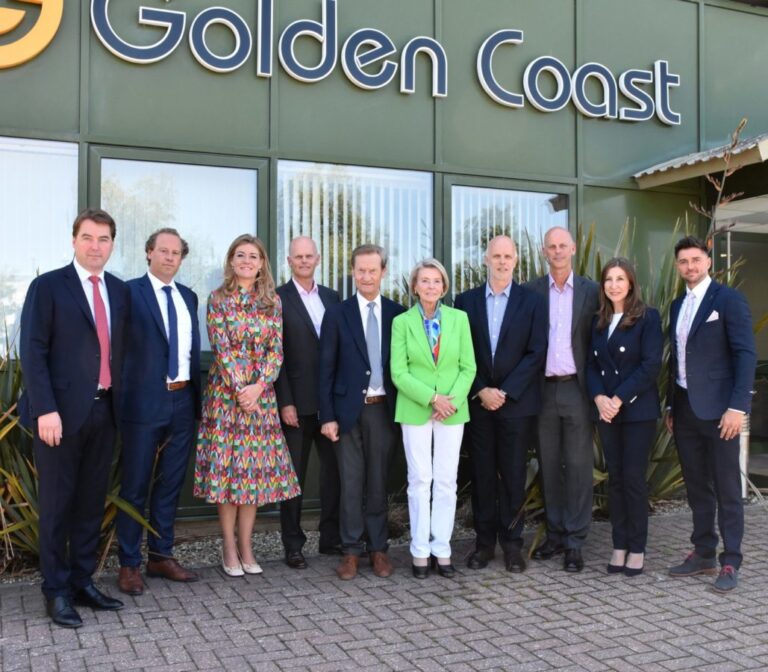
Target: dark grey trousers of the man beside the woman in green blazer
(363, 455)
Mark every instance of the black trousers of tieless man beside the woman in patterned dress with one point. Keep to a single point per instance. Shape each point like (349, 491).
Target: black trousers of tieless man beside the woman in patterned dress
(299, 440)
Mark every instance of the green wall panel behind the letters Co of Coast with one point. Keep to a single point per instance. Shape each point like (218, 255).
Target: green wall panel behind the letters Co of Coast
(477, 132)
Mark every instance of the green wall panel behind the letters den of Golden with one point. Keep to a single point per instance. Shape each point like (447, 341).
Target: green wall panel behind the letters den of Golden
(333, 117)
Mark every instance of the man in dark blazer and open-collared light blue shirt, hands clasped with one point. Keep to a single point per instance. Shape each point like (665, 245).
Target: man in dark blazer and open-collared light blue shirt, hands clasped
(509, 334)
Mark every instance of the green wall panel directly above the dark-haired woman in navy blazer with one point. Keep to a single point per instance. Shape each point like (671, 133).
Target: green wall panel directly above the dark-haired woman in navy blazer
(654, 214)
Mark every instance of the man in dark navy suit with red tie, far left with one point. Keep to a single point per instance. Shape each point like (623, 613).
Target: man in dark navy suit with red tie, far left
(71, 347)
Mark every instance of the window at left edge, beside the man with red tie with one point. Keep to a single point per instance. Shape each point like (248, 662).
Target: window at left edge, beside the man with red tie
(38, 203)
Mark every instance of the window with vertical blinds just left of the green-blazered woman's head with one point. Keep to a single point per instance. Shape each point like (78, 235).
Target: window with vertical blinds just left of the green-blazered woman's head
(341, 207)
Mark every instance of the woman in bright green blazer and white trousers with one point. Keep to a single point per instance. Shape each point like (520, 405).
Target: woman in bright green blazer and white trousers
(433, 365)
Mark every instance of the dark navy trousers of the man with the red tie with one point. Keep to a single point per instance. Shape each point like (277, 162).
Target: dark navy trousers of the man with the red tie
(72, 487)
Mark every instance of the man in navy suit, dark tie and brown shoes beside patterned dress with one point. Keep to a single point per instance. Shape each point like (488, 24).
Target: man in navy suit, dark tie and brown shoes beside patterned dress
(161, 400)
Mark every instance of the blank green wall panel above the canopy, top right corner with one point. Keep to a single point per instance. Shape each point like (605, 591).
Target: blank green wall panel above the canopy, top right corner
(735, 62)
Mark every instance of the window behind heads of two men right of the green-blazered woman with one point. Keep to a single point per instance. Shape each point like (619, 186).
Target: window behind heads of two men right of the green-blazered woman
(478, 214)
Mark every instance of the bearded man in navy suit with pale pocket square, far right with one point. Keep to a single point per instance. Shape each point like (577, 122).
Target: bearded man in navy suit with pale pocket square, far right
(711, 374)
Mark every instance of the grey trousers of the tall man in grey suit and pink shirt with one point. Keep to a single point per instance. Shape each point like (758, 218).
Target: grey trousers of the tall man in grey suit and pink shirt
(566, 461)
